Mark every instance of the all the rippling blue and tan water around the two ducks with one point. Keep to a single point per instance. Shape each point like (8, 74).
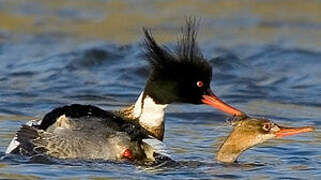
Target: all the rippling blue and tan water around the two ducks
(266, 62)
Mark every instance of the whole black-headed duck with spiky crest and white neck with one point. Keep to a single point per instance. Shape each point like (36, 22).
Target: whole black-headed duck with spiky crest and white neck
(89, 132)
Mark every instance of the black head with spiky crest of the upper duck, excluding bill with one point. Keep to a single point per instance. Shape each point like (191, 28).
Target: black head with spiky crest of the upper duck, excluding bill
(174, 74)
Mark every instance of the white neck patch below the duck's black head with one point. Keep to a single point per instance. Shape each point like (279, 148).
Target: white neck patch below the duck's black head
(148, 112)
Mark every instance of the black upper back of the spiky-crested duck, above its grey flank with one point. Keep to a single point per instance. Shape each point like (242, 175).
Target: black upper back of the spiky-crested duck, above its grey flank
(87, 117)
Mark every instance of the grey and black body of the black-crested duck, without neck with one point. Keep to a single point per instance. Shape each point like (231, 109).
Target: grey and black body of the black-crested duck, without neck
(80, 131)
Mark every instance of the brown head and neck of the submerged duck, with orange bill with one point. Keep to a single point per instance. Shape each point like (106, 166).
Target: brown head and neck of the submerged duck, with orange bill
(249, 132)
